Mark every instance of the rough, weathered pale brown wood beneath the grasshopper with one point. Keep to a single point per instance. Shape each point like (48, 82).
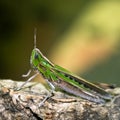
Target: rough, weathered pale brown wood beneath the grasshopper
(24, 105)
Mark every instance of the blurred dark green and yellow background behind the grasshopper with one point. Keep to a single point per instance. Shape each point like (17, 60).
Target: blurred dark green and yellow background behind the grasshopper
(81, 35)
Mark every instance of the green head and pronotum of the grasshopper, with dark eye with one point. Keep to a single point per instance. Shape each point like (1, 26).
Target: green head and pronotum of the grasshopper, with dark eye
(38, 60)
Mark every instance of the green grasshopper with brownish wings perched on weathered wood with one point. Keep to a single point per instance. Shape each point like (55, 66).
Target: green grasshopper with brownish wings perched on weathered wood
(57, 76)
